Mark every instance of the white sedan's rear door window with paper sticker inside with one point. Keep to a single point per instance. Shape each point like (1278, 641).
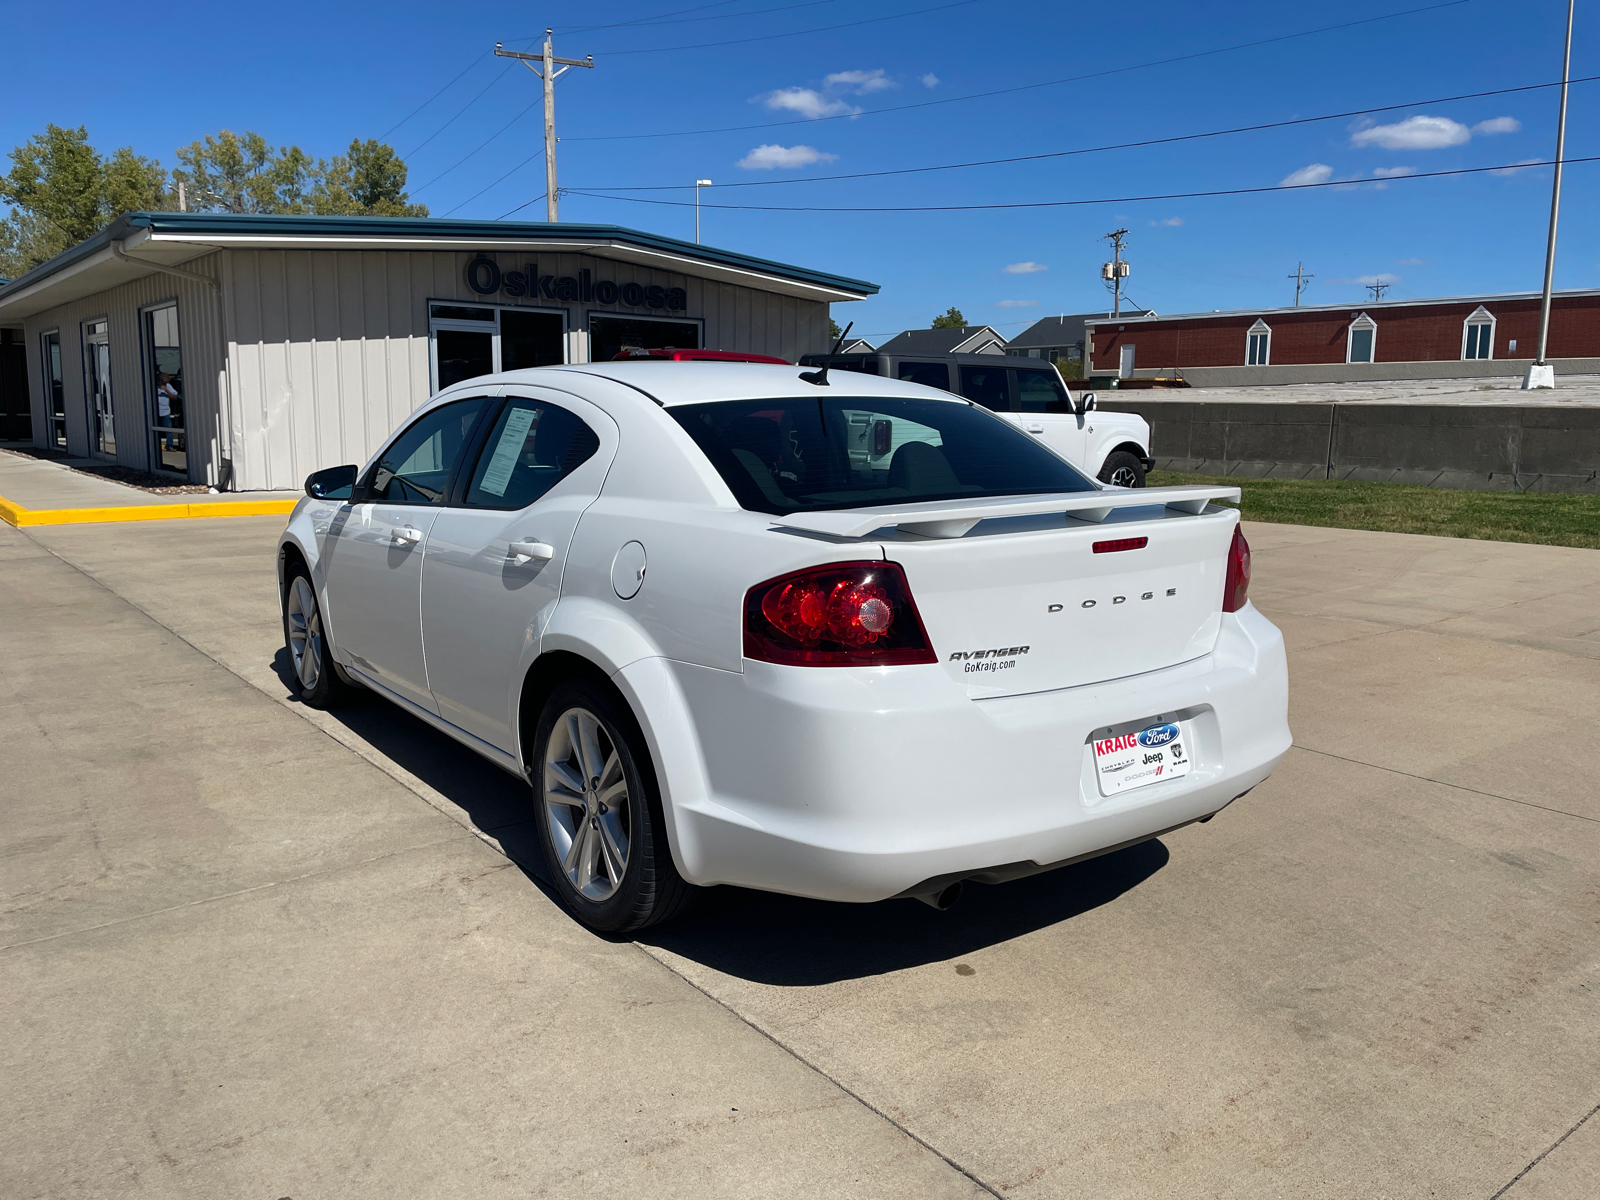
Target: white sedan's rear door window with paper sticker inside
(530, 450)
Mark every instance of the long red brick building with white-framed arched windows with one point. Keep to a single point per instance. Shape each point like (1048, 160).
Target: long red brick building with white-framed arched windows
(1468, 332)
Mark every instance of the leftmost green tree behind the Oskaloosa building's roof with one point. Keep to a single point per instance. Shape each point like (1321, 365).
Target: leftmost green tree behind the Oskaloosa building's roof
(62, 191)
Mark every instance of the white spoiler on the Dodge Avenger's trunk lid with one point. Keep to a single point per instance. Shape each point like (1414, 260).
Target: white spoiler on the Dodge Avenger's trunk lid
(951, 519)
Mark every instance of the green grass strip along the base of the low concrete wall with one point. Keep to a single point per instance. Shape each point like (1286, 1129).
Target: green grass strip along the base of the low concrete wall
(1551, 519)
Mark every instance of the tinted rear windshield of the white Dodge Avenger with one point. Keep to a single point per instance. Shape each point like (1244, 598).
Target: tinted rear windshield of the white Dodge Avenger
(809, 454)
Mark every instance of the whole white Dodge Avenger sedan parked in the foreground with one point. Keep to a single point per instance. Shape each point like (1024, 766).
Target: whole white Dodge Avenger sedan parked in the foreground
(831, 636)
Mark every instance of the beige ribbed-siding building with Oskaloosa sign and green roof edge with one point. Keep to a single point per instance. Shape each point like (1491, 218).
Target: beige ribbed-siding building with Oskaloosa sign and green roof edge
(249, 351)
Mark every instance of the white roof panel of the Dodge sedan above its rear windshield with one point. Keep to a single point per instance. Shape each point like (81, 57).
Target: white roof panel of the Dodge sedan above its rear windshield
(687, 383)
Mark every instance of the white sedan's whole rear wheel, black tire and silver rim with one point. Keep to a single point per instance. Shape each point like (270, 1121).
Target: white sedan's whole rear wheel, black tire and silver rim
(599, 814)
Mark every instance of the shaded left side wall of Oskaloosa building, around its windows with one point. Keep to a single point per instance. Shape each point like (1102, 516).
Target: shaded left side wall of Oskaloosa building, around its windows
(132, 404)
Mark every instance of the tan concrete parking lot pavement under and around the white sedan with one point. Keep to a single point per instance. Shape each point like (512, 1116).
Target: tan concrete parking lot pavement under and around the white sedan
(257, 951)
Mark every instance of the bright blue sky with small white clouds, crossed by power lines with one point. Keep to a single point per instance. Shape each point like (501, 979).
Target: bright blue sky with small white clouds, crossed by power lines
(322, 74)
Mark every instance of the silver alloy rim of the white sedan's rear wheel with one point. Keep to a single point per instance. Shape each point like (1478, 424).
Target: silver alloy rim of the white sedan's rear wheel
(586, 804)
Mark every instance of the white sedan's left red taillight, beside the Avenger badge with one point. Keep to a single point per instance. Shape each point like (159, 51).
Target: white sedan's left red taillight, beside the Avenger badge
(842, 615)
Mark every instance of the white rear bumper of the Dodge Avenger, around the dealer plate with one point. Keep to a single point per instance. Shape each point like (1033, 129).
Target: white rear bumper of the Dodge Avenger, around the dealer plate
(858, 785)
